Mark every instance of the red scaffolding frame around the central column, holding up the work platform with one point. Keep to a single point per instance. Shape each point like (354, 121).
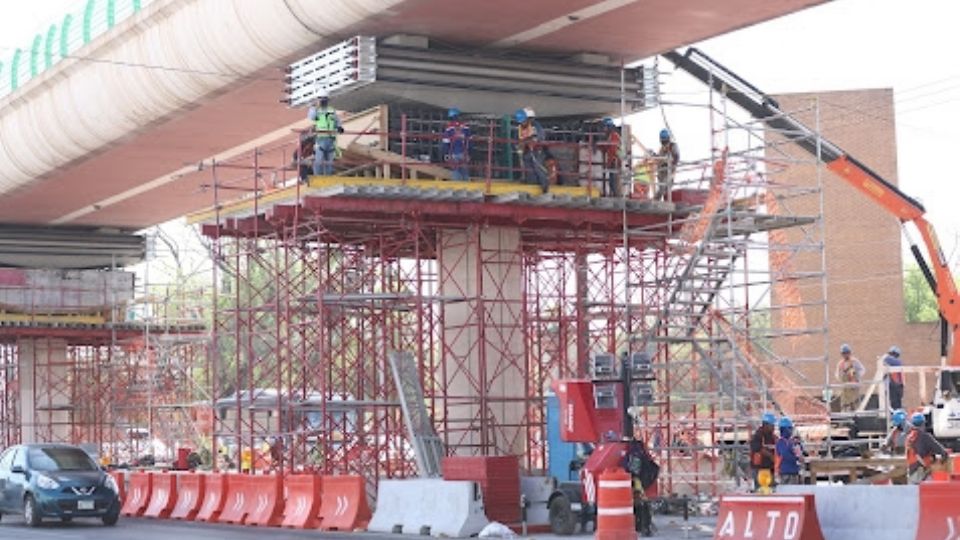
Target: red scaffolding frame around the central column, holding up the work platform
(352, 279)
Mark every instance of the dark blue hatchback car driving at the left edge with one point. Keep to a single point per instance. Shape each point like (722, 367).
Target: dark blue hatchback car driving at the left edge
(57, 481)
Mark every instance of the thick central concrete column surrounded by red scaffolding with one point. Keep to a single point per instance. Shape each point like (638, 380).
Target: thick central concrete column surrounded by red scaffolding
(483, 340)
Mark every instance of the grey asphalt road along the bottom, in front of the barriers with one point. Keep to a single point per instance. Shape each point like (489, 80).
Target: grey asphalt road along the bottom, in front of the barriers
(13, 528)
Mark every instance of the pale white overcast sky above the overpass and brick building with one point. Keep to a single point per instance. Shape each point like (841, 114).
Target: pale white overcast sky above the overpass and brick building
(845, 44)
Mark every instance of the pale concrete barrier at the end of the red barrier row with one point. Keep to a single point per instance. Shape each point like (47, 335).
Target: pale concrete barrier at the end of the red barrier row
(452, 509)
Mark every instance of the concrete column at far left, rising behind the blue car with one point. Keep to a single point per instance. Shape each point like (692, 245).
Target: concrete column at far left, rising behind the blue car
(45, 390)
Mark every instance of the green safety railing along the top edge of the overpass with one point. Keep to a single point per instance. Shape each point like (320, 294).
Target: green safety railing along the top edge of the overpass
(61, 39)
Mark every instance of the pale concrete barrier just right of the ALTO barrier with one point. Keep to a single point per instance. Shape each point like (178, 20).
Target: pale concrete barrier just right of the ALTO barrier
(863, 511)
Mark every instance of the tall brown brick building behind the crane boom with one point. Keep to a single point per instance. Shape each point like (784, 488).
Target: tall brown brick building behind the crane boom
(864, 255)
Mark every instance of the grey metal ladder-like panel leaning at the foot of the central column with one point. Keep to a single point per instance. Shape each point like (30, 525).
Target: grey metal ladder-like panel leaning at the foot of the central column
(427, 447)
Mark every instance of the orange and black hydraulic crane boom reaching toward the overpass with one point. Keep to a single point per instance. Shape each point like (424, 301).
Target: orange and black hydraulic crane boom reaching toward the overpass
(763, 107)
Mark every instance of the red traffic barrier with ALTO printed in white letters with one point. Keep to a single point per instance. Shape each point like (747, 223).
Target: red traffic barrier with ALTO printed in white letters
(792, 517)
